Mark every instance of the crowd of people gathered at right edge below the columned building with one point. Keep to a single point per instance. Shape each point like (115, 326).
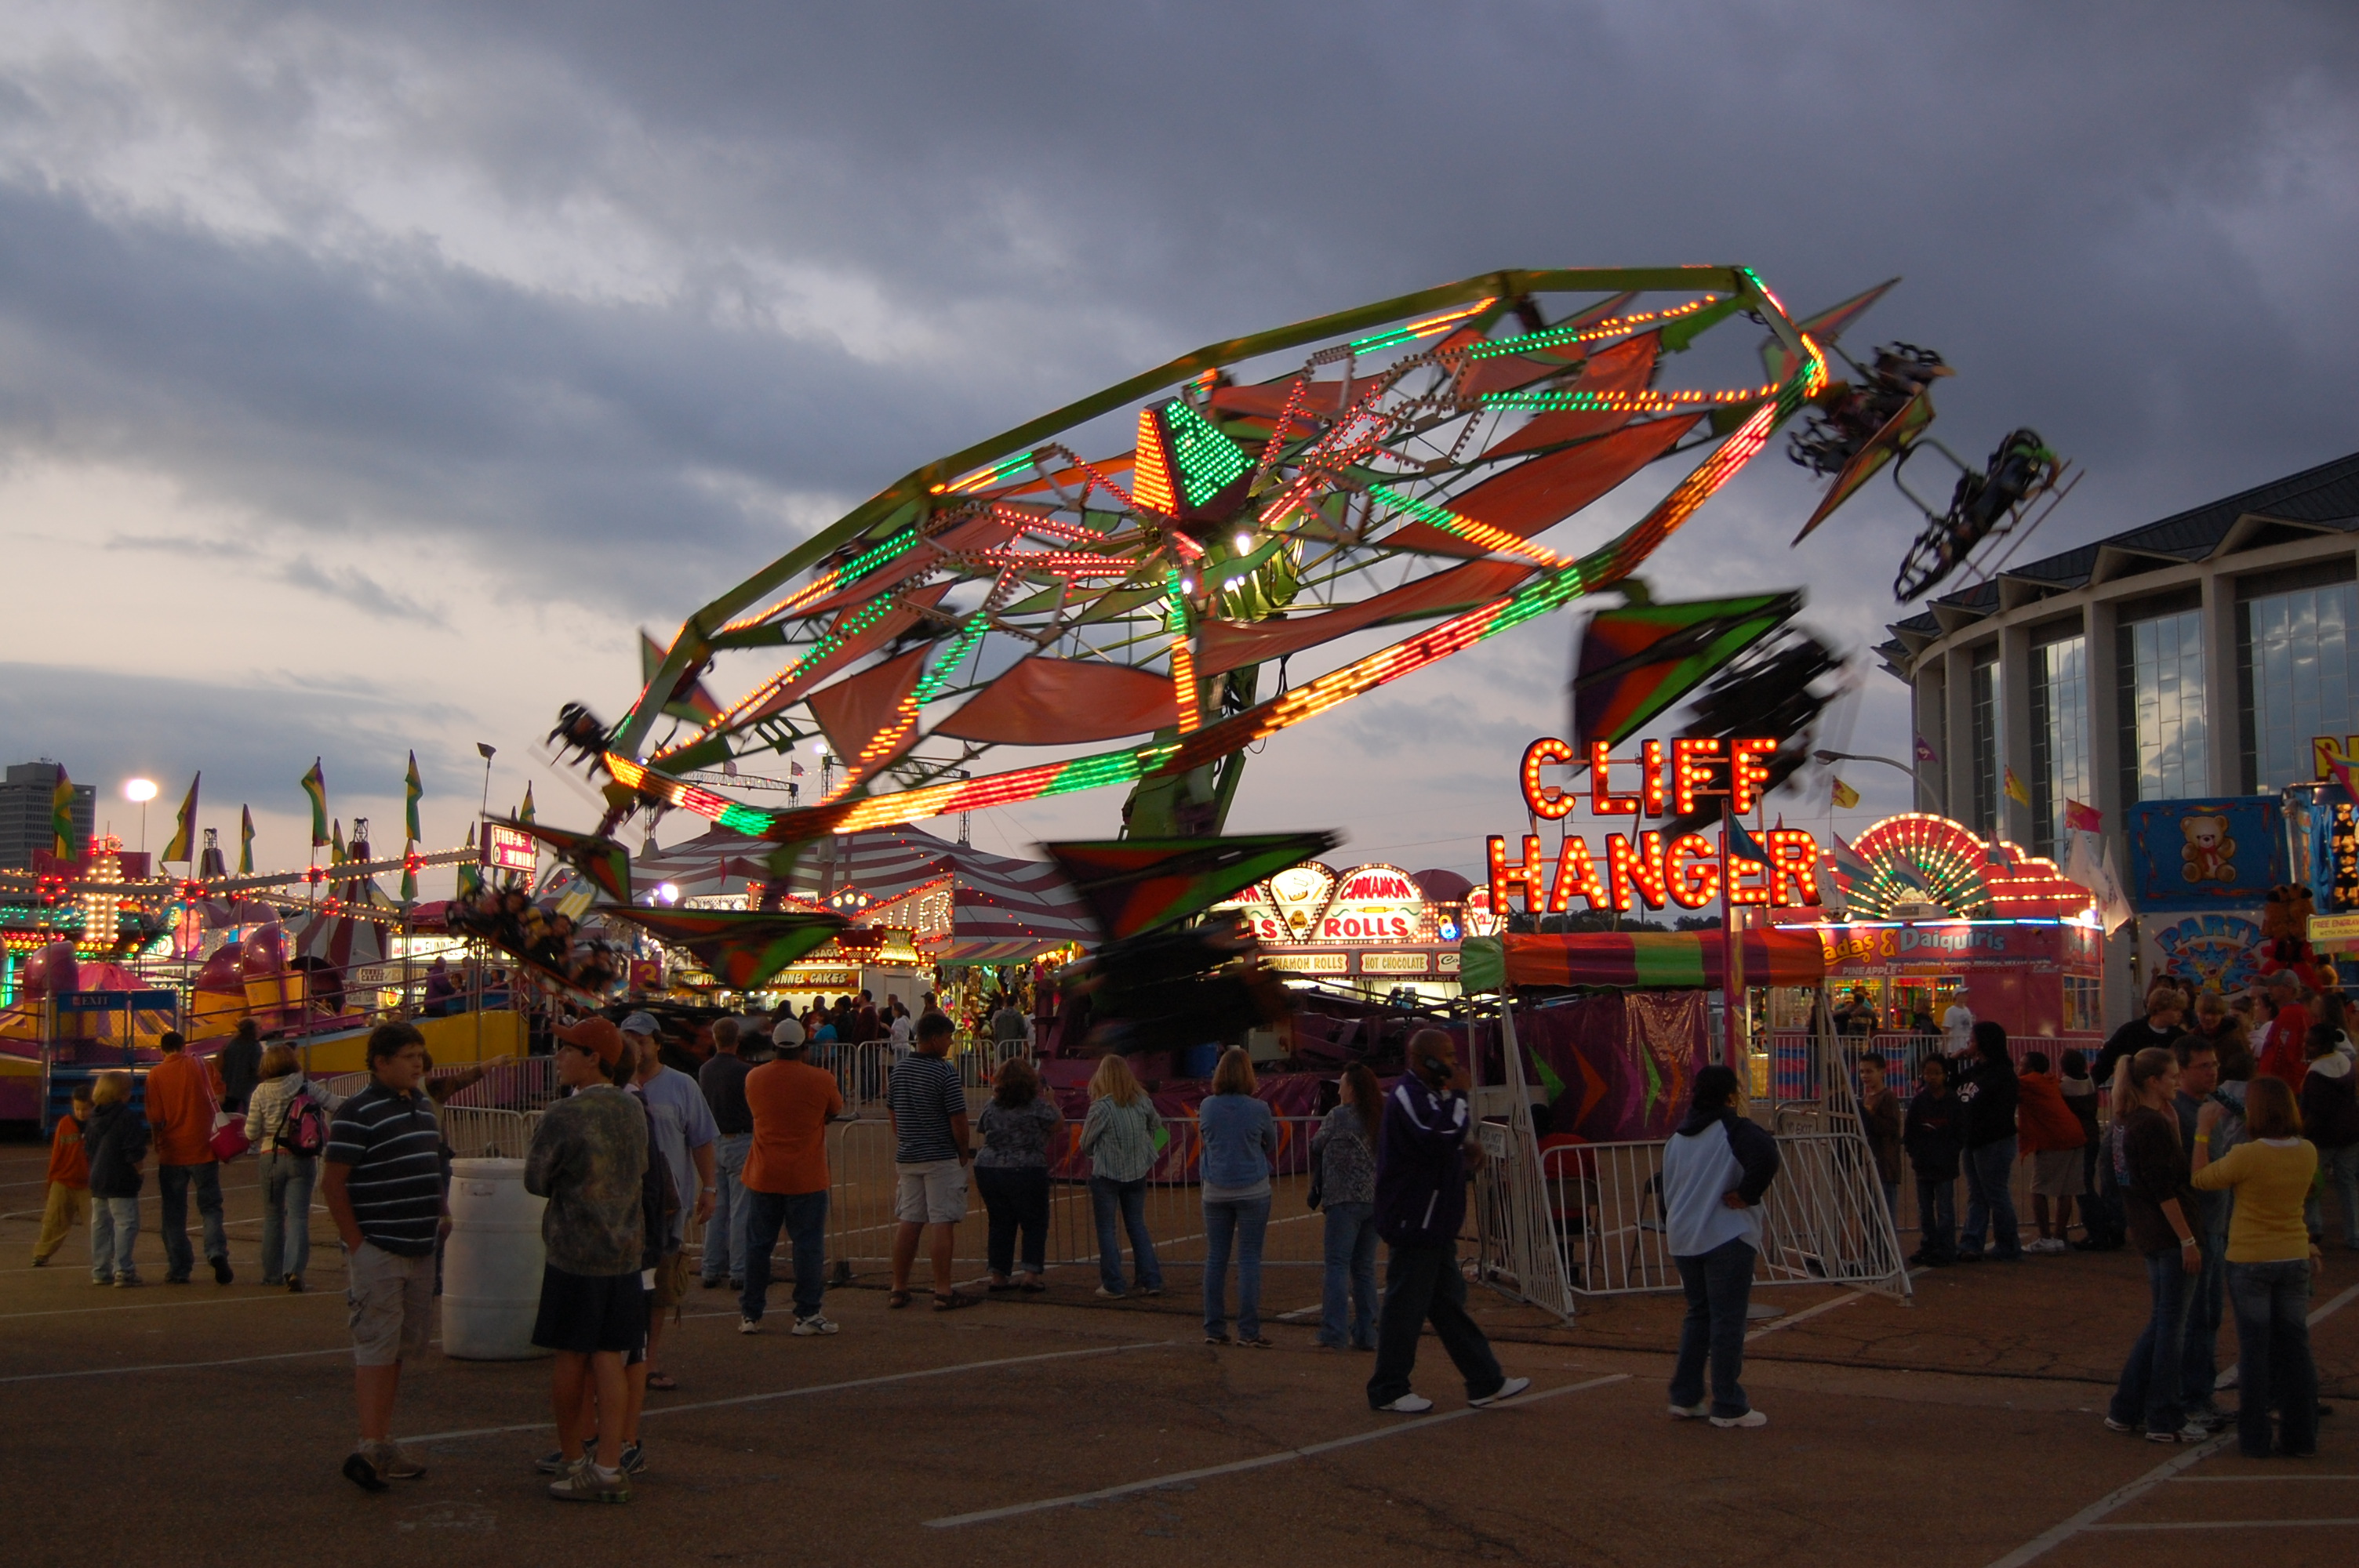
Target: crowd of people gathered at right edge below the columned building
(2233, 1119)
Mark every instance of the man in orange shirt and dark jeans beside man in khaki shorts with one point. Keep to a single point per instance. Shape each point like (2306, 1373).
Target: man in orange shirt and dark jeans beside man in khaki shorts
(787, 1180)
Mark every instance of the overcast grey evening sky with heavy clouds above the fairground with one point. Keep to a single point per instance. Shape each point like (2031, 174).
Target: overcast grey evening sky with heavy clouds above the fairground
(369, 374)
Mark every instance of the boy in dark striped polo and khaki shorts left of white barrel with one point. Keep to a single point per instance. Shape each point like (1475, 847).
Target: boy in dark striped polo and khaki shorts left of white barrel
(383, 1190)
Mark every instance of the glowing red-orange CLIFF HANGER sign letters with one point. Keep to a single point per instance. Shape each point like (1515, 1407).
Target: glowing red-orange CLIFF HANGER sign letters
(1643, 869)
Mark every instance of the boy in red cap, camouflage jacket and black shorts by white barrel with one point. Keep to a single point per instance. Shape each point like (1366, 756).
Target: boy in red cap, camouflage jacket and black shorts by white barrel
(589, 1159)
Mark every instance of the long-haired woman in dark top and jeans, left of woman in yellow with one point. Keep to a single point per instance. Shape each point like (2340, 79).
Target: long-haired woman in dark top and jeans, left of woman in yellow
(2157, 1206)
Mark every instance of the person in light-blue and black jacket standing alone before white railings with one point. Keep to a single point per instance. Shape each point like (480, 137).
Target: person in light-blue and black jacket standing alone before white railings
(1716, 1173)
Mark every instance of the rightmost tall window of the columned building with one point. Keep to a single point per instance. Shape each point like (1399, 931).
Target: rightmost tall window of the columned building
(2294, 657)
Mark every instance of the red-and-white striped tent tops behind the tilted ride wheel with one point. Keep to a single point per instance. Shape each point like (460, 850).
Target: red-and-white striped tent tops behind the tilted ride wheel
(1001, 909)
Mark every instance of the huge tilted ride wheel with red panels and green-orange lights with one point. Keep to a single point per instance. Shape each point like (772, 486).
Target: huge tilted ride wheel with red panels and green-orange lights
(1136, 588)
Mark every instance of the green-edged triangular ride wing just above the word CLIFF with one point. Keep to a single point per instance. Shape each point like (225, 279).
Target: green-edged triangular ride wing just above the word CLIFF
(1645, 657)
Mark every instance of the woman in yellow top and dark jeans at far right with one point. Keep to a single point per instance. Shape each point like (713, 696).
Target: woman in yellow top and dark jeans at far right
(2268, 1267)
